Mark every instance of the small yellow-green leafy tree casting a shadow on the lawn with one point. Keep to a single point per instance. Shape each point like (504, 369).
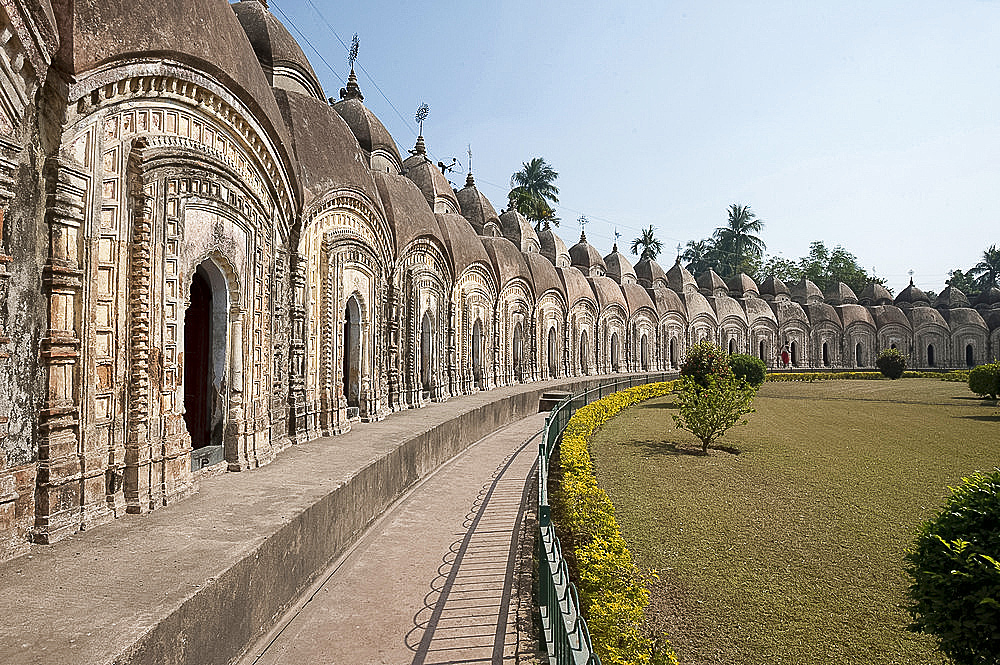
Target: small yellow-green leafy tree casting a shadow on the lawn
(709, 411)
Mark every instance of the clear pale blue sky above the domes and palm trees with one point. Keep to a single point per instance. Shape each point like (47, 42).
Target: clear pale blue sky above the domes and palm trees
(874, 125)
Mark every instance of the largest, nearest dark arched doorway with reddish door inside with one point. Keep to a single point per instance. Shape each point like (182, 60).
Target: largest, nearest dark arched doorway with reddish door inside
(205, 331)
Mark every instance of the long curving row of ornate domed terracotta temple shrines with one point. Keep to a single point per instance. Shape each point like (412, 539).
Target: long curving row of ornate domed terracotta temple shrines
(203, 261)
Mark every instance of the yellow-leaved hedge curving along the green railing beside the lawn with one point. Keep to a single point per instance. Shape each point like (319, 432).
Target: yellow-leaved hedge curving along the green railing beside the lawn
(613, 597)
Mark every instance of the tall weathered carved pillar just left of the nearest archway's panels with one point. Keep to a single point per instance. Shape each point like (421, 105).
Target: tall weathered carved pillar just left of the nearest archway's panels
(63, 474)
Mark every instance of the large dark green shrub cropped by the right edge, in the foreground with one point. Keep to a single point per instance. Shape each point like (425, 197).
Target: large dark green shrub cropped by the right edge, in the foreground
(955, 566)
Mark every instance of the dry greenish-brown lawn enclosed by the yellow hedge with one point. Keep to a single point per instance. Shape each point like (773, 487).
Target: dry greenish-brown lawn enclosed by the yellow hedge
(787, 545)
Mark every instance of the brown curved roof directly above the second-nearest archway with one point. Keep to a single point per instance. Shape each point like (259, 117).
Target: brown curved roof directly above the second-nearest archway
(316, 132)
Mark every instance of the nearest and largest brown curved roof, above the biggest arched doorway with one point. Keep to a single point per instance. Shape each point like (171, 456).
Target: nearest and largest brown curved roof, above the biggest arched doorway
(204, 34)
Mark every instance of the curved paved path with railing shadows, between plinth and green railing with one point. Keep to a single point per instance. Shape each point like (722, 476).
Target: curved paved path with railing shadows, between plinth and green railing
(430, 582)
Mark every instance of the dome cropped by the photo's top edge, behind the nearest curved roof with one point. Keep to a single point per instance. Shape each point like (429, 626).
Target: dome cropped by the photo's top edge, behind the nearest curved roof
(280, 56)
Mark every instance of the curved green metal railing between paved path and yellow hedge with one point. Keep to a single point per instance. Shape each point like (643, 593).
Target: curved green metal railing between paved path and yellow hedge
(567, 639)
